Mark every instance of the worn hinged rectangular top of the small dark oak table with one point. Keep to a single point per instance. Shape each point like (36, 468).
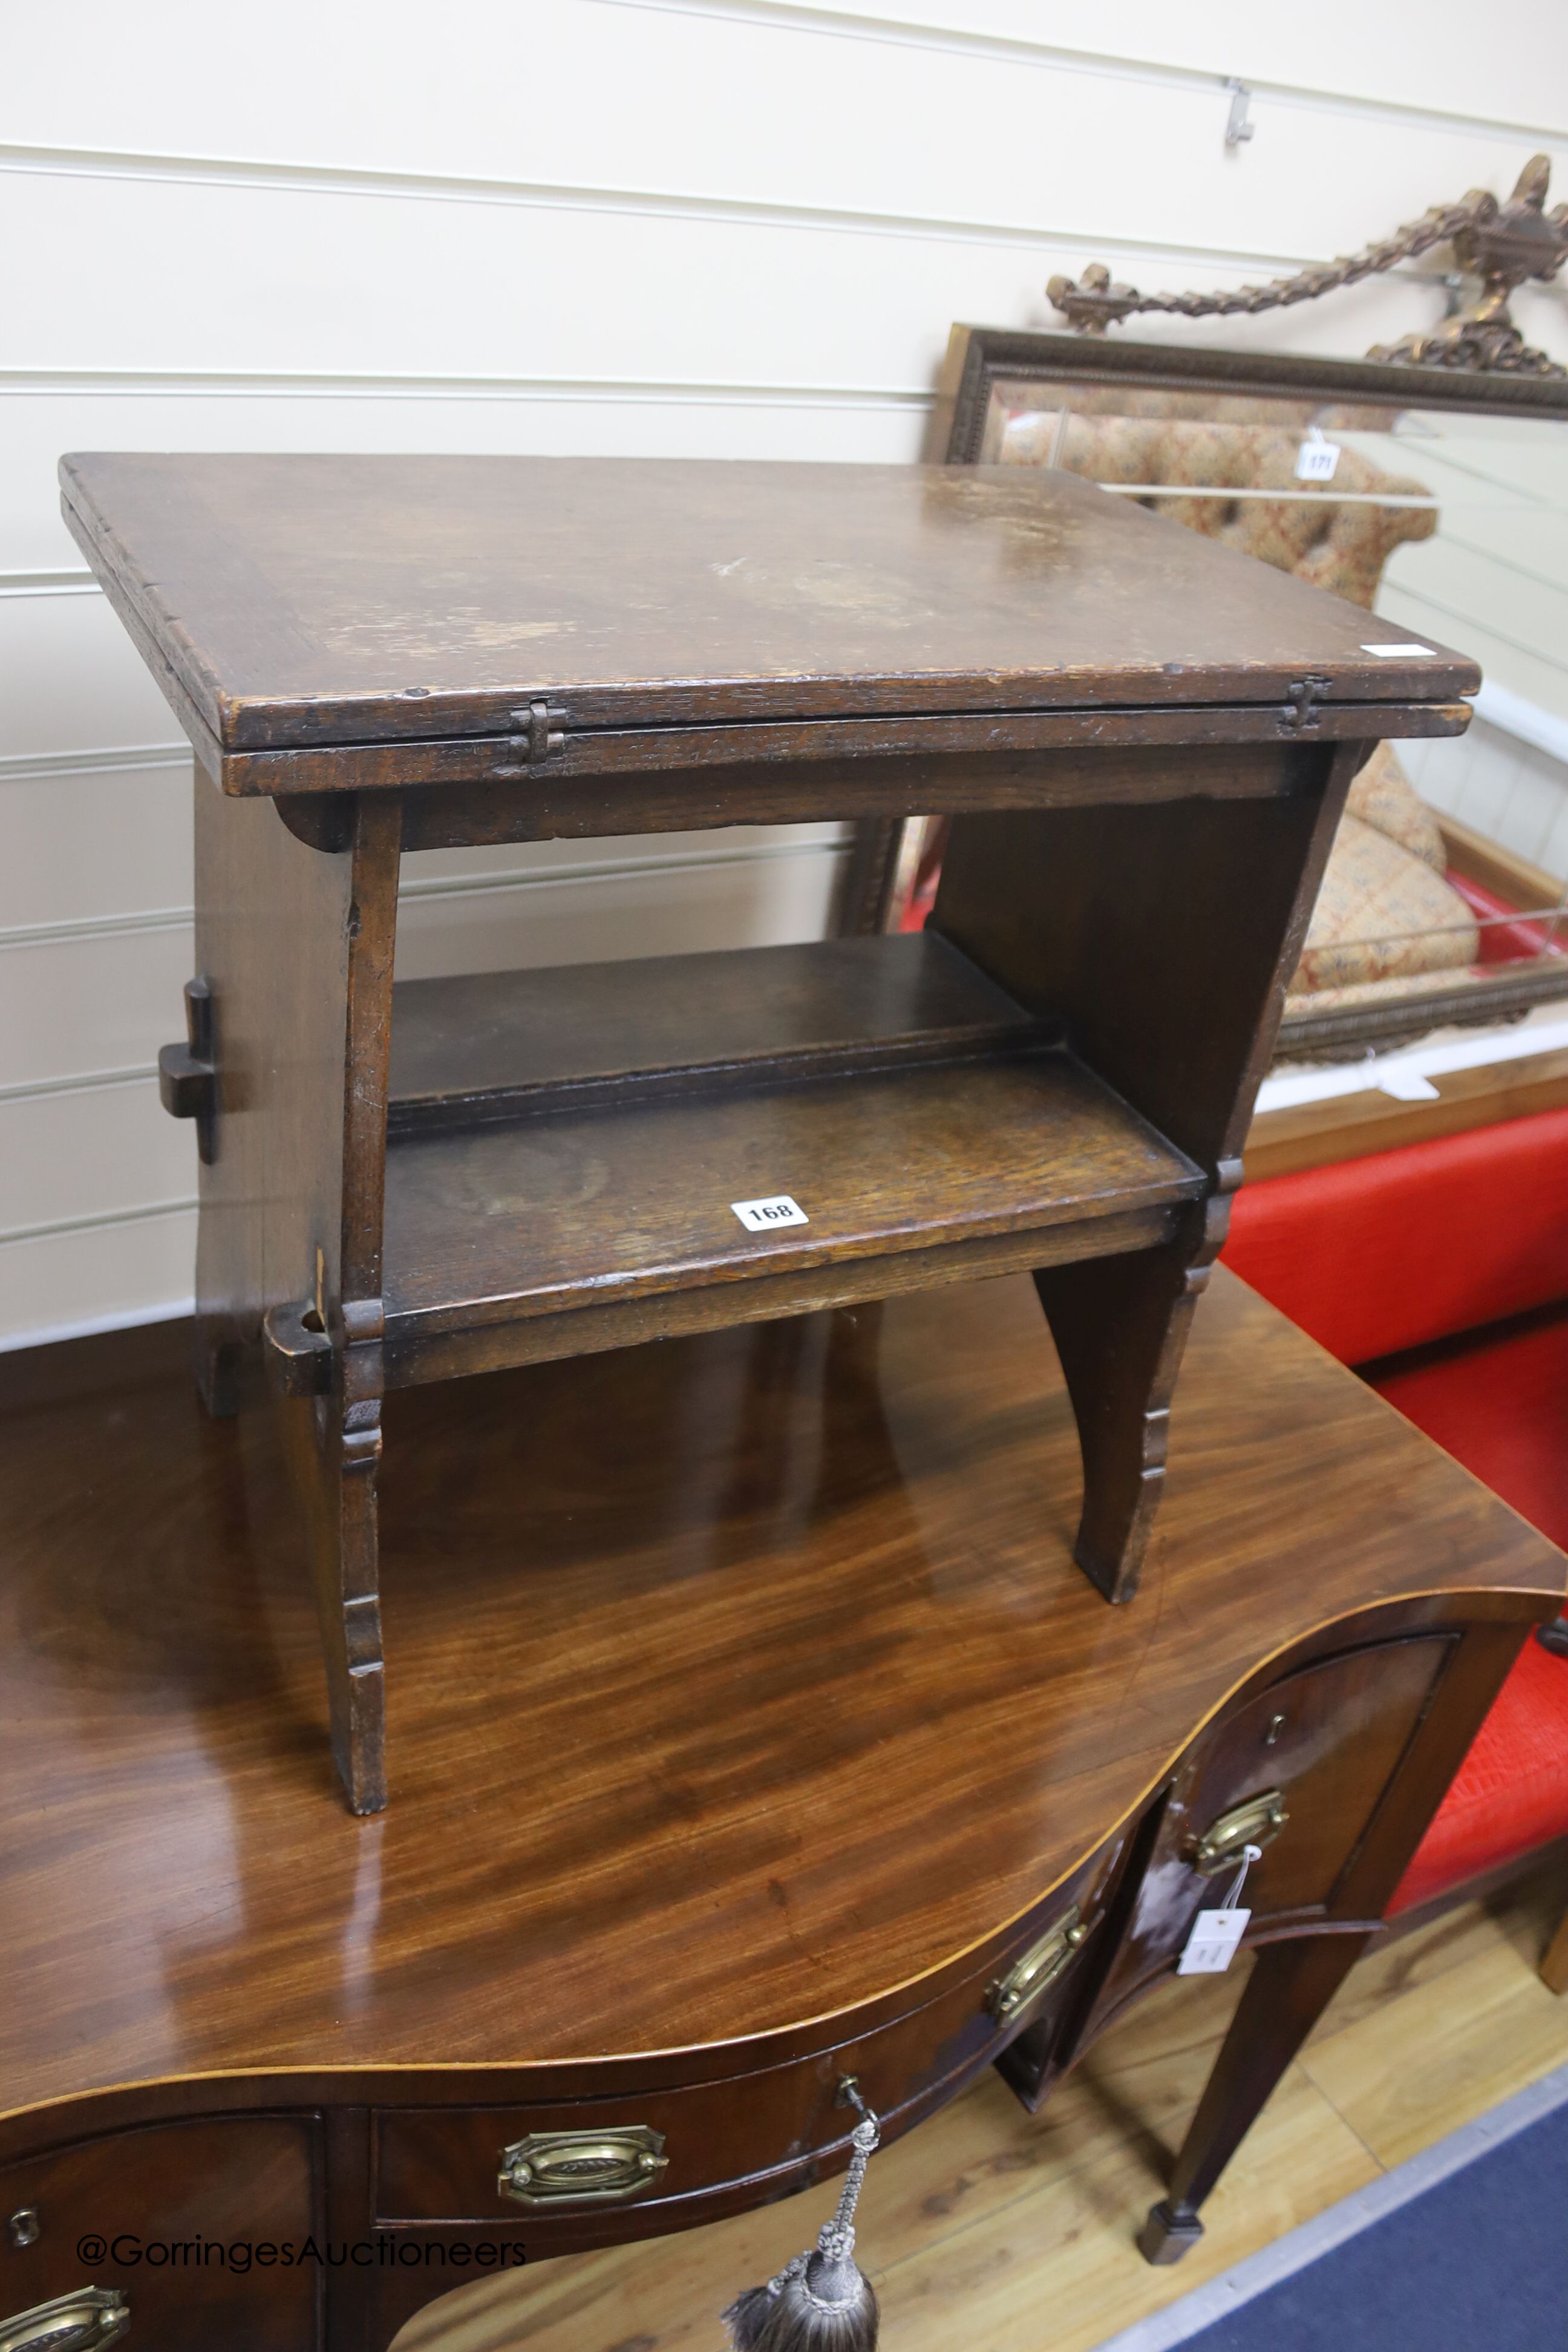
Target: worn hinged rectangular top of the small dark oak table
(347, 601)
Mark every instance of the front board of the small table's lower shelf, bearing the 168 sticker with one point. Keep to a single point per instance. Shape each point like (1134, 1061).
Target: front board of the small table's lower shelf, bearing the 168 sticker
(577, 1208)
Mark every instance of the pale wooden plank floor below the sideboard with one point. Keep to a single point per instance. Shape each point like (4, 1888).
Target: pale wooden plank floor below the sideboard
(1010, 2233)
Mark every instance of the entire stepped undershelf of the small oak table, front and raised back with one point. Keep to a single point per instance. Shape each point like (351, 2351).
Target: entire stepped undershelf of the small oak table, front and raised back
(575, 1182)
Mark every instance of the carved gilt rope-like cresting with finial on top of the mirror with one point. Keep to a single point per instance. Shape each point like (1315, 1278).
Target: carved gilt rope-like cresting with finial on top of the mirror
(1501, 243)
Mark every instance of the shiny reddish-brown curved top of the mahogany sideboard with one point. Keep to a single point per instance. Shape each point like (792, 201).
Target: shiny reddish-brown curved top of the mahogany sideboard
(803, 1690)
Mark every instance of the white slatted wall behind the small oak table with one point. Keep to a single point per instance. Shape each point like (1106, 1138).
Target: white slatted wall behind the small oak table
(662, 227)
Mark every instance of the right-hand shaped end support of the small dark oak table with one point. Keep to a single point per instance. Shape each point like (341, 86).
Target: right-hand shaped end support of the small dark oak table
(1162, 935)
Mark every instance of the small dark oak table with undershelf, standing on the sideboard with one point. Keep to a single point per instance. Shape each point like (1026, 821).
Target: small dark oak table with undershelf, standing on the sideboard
(1146, 744)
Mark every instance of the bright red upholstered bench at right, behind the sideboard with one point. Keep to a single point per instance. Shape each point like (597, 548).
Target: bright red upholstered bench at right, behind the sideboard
(1442, 1274)
